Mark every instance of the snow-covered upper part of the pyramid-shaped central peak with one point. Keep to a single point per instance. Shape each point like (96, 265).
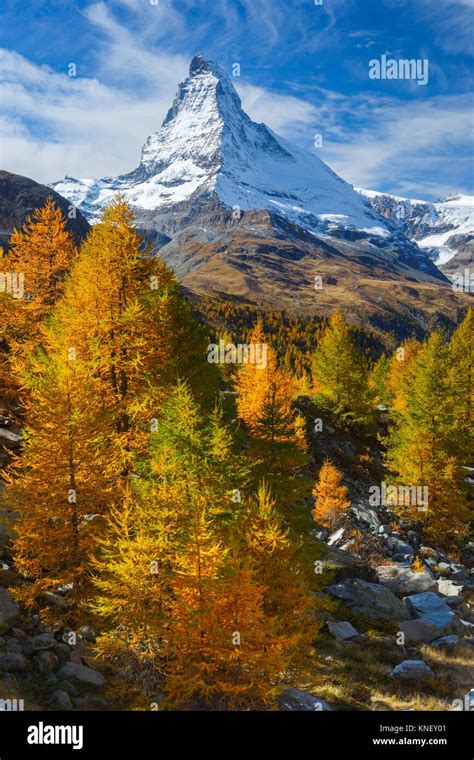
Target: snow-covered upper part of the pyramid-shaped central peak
(207, 144)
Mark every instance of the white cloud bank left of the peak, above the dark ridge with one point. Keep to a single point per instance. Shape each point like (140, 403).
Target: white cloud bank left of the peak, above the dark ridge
(77, 126)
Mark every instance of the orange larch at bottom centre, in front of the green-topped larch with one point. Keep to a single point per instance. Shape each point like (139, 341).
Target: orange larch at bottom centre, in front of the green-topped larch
(226, 652)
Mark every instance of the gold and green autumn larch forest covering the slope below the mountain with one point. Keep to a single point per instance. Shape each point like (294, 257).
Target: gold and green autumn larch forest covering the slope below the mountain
(175, 513)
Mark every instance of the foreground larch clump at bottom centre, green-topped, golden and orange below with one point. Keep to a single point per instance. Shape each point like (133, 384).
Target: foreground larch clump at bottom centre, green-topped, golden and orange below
(200, 623)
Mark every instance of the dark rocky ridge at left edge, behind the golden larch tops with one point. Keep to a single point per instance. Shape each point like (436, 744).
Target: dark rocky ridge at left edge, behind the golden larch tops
(20, 196)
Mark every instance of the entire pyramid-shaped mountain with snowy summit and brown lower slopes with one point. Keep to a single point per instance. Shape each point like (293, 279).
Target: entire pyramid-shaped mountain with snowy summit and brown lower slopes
(236, 209)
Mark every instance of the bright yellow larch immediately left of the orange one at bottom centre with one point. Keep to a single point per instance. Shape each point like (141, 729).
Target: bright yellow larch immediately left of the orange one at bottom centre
(133, 569)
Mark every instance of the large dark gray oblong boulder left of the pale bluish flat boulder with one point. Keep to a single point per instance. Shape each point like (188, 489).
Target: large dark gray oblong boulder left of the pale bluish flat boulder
(372, 600)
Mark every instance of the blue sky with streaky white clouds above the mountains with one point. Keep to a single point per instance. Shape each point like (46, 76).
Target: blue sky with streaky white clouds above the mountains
(303, 70)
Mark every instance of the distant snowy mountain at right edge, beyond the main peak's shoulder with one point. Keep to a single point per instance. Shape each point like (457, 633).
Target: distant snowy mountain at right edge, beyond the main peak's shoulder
(444, 229)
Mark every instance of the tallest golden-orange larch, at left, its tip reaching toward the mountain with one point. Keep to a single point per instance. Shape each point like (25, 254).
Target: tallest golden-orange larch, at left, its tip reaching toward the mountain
(111, 347)
